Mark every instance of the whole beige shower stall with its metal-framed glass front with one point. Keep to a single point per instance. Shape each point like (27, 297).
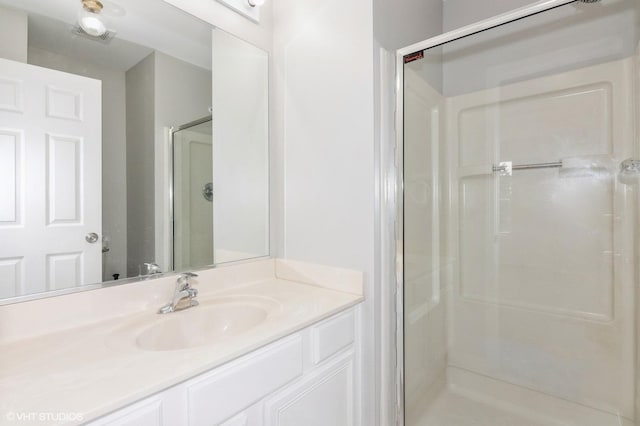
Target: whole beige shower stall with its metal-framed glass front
(518, 219)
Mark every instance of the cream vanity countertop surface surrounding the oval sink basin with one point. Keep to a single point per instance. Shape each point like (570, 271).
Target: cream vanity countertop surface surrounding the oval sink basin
(97, 368)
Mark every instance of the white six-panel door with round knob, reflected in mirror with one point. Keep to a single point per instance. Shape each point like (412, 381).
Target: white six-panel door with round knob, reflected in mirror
(50, 168)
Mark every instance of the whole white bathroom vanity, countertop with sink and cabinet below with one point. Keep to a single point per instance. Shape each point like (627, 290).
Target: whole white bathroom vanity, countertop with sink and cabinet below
(271, 342)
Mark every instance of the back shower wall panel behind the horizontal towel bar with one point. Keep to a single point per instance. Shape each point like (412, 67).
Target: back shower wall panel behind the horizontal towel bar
(544, 293)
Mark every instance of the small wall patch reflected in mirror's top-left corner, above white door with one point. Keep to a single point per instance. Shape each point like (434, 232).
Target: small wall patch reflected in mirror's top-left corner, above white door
(13, 34)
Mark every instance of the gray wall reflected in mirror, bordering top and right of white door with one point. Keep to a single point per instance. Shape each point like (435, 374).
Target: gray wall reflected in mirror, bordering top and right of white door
(114, 178)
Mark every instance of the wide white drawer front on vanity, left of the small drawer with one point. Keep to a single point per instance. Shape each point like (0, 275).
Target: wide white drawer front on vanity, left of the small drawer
(229, 390)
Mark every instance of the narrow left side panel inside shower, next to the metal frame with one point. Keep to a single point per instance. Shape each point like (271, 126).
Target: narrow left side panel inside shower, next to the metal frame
(425, 312)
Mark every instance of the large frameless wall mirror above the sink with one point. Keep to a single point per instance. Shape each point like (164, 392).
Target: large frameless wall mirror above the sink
(133, 141)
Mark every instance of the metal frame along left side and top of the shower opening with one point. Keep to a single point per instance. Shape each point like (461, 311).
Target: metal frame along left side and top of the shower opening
(487, 24)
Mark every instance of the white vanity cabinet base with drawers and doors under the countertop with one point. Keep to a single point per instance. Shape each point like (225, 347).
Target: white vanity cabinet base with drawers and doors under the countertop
(307, 378)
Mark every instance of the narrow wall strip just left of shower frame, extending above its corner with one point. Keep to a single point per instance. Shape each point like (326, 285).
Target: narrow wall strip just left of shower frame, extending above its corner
(396, 24)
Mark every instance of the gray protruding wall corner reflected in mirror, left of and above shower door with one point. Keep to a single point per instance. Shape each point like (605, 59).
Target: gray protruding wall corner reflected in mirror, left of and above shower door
(162, 92)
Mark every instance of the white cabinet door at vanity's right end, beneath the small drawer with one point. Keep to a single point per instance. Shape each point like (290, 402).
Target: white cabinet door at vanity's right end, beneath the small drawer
(322, 397)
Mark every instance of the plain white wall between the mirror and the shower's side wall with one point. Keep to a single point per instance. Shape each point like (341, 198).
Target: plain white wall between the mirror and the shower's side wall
(323, 52)
